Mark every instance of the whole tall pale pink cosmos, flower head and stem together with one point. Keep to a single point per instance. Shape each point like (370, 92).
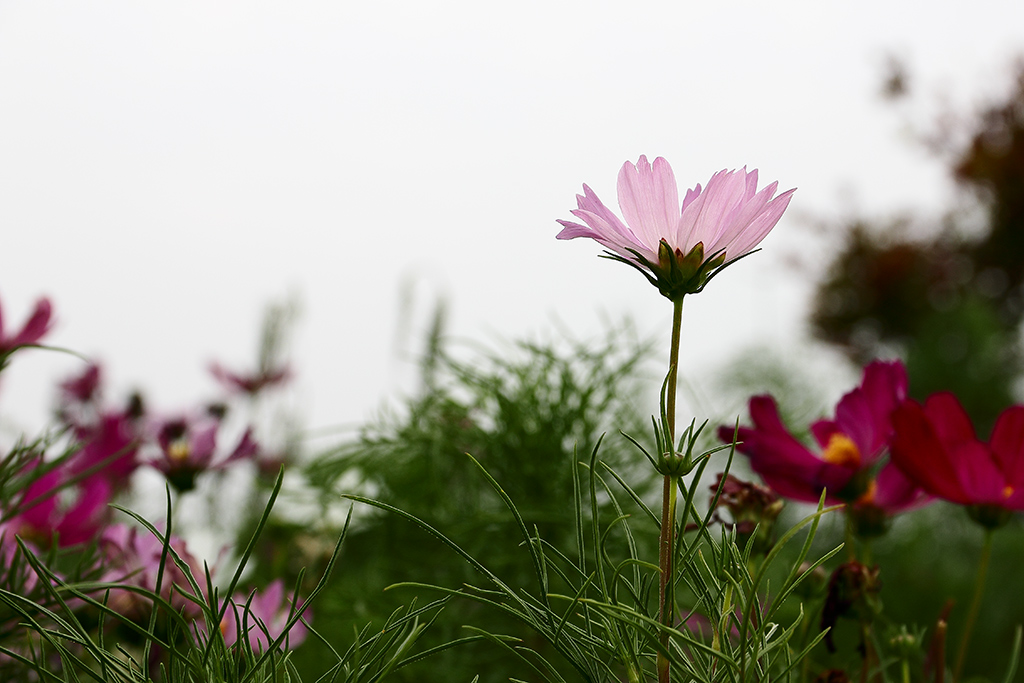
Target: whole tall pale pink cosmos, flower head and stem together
(678, 248)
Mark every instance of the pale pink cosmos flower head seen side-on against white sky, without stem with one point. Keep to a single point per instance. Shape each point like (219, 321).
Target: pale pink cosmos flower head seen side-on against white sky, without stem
(679, 248)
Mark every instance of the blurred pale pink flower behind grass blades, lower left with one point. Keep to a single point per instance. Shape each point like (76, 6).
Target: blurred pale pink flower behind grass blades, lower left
(134, 560)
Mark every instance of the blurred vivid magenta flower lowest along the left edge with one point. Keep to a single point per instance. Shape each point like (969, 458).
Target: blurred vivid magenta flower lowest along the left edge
(53, 509)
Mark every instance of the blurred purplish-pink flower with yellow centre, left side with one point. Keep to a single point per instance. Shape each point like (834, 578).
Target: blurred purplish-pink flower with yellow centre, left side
(189, 447)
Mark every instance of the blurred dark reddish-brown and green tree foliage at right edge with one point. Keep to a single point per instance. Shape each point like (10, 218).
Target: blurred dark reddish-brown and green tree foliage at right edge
(951, 305)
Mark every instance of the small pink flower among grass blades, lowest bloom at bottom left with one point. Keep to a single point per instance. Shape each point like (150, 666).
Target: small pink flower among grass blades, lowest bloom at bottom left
(266, 619)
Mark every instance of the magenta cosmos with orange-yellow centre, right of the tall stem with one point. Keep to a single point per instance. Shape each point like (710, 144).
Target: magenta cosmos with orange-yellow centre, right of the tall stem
(850, 465)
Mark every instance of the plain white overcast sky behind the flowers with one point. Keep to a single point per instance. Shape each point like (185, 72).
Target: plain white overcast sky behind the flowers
(167, 169)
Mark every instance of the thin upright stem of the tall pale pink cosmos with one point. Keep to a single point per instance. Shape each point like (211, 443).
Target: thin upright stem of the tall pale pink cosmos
(668, 538)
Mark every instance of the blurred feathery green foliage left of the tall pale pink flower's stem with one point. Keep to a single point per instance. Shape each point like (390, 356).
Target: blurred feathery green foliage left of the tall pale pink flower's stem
(522, 412)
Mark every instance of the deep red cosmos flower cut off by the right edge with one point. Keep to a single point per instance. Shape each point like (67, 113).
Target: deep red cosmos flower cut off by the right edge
(936, 446)
